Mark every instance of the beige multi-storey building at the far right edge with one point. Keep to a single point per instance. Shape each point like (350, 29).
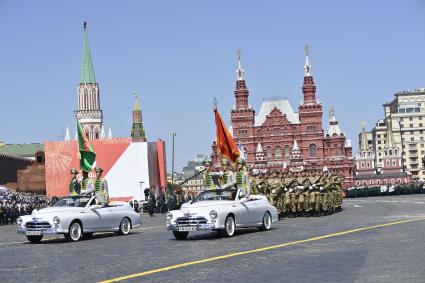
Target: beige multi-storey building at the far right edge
(407, 112)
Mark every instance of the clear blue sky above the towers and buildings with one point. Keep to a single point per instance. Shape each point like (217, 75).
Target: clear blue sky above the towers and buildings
(179, 55)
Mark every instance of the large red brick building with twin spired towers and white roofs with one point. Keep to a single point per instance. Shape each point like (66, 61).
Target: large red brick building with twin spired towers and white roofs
(277, 132)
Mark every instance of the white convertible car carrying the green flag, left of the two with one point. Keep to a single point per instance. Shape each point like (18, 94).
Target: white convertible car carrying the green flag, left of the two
(78, 217)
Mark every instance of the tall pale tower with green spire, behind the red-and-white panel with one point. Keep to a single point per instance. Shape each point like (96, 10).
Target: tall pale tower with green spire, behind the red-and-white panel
(88, 99)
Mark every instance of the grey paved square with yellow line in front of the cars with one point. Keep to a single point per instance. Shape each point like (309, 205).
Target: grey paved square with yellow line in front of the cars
(376, 239)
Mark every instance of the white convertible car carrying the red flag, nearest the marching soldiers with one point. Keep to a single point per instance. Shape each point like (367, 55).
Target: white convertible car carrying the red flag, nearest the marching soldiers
(222, 211)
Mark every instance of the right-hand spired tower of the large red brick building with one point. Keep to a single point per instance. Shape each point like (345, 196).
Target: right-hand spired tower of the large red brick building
(310, 115)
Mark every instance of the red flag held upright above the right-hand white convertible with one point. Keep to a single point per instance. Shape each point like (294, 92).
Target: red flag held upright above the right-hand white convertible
(225, 142)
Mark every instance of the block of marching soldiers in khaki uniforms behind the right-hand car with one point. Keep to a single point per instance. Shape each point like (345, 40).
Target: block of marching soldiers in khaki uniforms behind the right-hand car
(306, 193)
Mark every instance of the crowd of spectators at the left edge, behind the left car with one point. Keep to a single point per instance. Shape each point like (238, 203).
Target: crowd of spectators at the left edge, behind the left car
(15, 203)
